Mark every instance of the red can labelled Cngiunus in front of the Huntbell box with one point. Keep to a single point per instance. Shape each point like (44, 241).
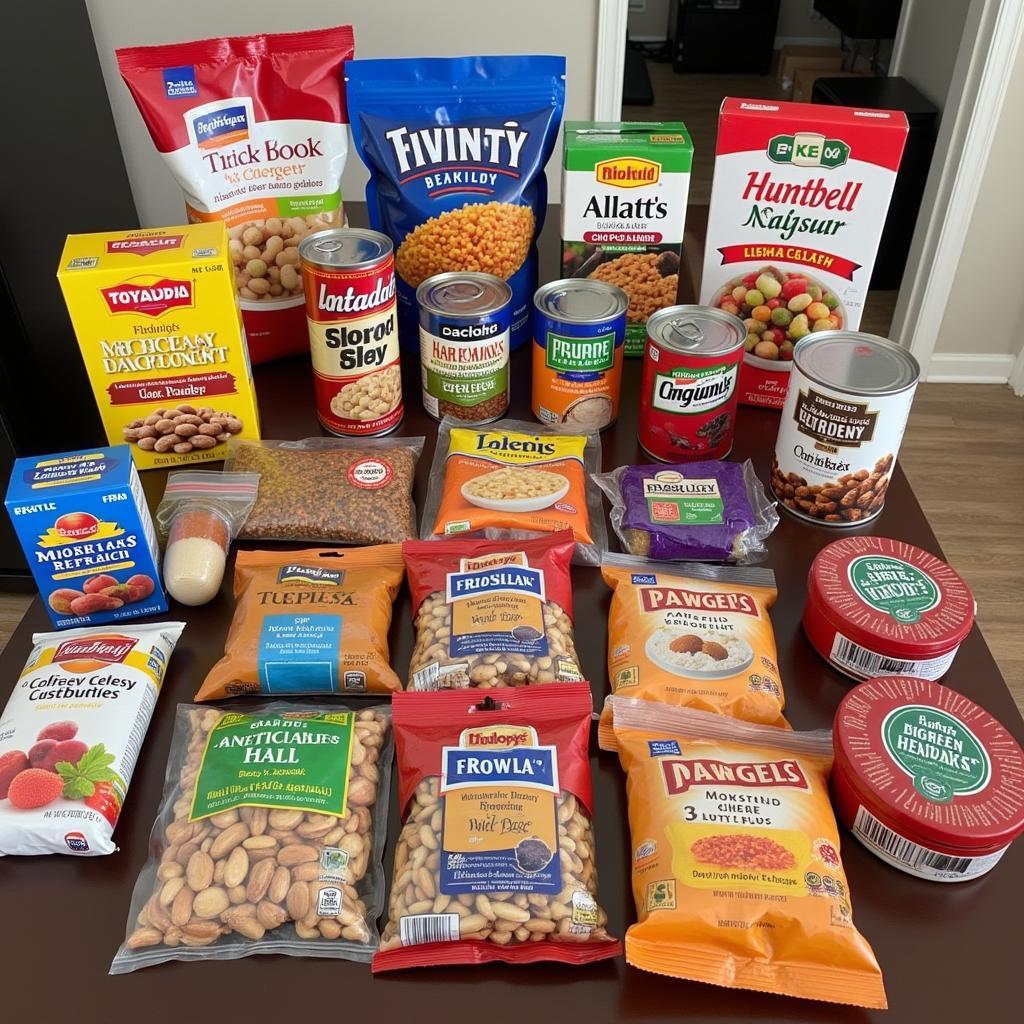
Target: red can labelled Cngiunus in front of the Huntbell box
(689, 385)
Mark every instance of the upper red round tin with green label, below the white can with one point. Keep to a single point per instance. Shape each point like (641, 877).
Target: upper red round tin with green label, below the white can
(877, 607)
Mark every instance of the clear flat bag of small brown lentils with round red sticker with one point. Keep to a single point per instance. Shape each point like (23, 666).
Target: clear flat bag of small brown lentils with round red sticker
(331, 490)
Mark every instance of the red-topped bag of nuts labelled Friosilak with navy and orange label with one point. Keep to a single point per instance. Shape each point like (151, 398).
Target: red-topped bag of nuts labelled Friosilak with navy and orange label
(492, 614)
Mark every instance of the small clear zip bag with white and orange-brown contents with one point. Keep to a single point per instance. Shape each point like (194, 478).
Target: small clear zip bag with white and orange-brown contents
(200, 516)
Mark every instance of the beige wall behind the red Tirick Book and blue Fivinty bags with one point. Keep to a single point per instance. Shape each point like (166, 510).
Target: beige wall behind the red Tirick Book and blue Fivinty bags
(383, 28)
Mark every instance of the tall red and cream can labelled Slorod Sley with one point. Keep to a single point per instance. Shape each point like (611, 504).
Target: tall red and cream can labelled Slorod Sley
(349, 279)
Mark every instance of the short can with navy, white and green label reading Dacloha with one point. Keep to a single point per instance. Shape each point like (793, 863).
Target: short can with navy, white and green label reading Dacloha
(465, 319)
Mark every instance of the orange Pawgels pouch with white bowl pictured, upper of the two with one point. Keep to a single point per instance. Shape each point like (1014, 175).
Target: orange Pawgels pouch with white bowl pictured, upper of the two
(695, 636)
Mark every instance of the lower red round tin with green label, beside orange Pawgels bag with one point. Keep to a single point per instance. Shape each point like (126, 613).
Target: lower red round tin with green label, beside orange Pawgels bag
(926, 780)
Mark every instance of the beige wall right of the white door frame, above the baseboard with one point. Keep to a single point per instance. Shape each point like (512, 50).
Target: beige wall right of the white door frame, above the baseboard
(989, 277)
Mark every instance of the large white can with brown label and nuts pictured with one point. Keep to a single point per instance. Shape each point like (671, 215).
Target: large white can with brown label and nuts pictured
(842, 425)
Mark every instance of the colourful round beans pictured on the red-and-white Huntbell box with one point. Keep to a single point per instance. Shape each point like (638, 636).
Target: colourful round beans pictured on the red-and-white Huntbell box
(779, 309)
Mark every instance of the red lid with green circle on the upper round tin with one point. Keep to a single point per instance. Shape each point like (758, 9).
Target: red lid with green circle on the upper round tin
(891, 598)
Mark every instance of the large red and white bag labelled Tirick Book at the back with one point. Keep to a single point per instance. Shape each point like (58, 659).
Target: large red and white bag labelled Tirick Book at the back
(255, 133)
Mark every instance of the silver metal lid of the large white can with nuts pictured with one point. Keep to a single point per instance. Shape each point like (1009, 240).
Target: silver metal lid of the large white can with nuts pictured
(856, 363)
